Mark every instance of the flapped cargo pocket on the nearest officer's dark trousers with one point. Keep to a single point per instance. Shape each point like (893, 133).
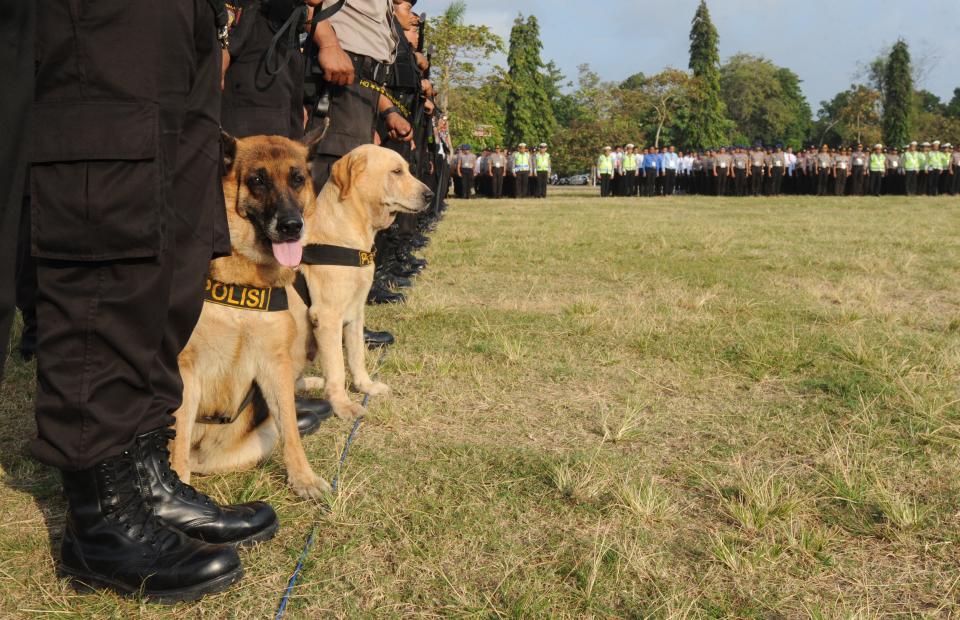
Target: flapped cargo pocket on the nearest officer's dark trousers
(96, 181)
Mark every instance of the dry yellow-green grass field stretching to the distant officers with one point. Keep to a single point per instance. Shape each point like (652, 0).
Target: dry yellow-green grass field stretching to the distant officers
(681, 408)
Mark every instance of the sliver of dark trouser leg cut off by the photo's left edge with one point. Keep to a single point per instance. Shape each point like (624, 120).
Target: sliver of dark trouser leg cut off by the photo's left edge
(16, 84)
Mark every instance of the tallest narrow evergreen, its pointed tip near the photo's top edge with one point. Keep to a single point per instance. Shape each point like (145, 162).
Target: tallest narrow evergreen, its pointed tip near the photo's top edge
(707, 125)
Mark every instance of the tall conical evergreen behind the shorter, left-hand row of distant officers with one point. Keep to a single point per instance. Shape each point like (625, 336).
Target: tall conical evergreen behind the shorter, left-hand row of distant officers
(529, 113)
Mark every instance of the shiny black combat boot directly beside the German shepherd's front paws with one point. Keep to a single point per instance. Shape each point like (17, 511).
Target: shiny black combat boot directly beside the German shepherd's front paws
(190, 511)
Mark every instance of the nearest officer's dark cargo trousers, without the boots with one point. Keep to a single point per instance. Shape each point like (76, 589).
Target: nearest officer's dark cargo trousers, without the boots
(127, 212)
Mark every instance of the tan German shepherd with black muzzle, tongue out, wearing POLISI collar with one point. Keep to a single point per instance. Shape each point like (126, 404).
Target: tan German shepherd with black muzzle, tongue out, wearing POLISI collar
(247, 330)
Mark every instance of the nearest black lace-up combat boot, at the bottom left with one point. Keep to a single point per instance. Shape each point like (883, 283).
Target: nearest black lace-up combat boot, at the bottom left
(113, 540)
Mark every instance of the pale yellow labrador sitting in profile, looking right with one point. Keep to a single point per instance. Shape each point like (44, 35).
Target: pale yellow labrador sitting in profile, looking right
(367, 189)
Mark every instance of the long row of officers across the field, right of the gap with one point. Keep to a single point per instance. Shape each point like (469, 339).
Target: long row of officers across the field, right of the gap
(918, 169)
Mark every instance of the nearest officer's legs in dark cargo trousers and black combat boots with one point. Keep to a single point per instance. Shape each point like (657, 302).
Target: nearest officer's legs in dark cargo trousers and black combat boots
(125, 189)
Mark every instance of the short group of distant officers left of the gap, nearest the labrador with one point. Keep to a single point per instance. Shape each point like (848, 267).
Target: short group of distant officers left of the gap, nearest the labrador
(498, 173)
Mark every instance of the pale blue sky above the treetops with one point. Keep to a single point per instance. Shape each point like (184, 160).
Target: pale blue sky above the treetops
(823, 41)
